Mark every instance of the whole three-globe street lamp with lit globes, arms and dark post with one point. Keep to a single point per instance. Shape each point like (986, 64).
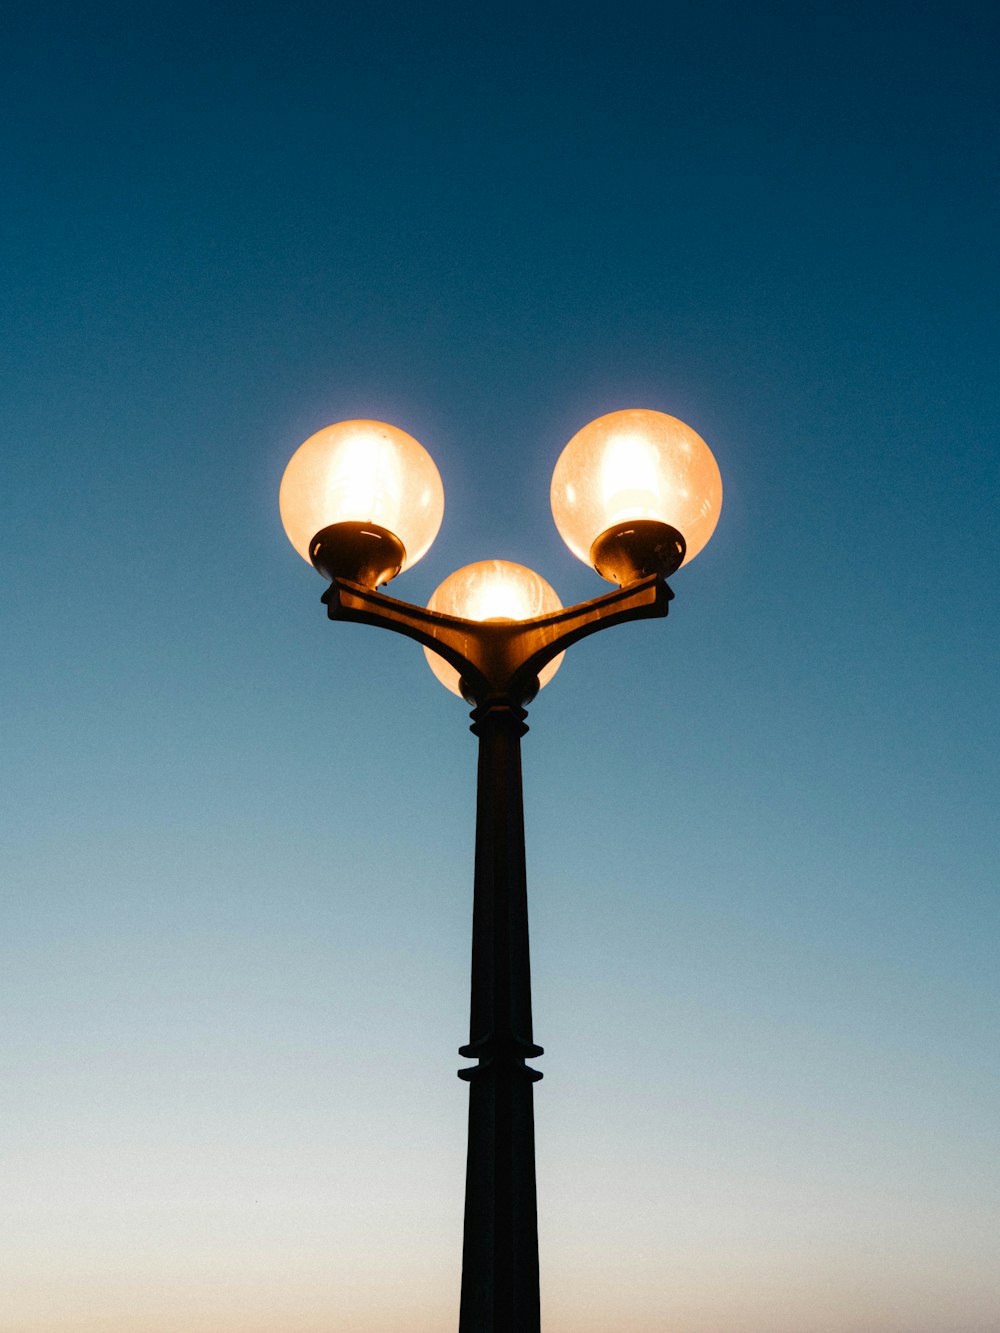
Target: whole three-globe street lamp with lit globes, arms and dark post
(635, 494)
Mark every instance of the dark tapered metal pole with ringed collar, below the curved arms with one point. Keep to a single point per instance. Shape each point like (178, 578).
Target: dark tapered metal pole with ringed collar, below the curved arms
(501, 1256)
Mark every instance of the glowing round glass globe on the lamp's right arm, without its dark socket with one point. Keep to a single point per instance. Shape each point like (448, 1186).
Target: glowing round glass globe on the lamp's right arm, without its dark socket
(634, 467)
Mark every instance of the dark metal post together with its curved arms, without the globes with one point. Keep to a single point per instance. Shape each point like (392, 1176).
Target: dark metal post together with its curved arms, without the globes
(499, 665)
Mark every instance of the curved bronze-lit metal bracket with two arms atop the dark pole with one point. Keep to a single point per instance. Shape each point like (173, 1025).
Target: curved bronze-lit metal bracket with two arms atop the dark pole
(499, 662)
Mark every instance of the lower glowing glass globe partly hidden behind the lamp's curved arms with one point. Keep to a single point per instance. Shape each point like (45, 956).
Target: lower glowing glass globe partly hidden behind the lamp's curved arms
(493, 590)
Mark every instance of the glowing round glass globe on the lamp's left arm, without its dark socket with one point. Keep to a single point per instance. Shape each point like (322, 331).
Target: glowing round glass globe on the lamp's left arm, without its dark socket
(363, 473)
